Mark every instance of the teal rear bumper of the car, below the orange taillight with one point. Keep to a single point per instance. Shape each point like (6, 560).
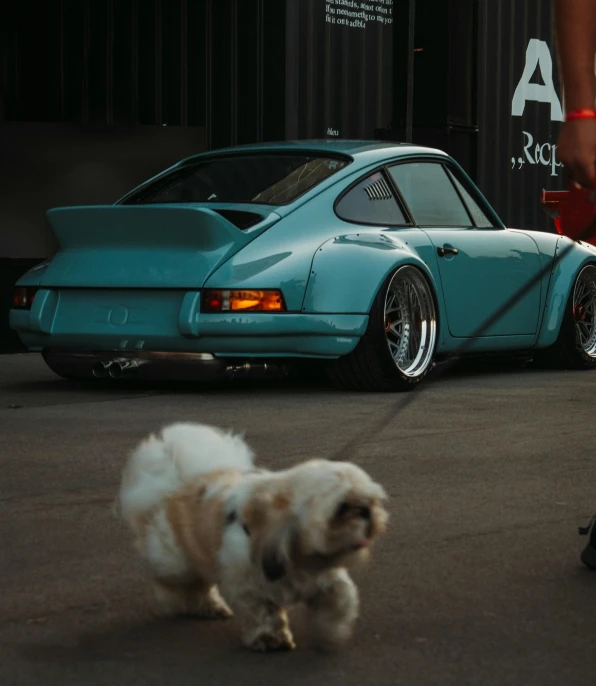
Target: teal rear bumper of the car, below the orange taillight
(184, 330)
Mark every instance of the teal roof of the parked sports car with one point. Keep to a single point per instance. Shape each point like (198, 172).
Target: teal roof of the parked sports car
(361, 150)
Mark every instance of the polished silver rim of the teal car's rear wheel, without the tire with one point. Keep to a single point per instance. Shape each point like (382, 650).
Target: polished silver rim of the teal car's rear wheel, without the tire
(410, 321)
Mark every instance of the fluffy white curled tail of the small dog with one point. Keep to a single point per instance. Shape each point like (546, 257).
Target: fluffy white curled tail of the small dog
(164, 463)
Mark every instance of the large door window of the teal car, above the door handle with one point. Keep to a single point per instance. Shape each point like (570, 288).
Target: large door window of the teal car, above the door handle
(430, 194)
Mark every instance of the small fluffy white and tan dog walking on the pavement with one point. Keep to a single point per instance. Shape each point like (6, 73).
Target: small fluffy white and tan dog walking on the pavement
(203, 516)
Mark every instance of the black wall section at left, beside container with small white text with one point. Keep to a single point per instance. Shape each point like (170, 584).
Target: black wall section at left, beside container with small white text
(83, 81)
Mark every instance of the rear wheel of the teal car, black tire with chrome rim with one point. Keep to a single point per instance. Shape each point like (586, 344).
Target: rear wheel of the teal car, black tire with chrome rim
(393, 355)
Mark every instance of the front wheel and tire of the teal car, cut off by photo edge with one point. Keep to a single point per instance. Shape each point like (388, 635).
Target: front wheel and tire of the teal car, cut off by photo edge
(575, 347)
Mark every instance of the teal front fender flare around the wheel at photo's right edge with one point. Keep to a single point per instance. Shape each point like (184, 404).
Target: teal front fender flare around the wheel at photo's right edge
(561, 283)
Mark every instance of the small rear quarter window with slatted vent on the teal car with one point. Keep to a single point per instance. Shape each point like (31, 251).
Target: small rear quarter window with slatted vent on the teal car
(371, 202)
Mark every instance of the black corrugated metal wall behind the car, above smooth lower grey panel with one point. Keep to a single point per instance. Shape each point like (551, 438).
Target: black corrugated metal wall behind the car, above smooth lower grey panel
(251, 70)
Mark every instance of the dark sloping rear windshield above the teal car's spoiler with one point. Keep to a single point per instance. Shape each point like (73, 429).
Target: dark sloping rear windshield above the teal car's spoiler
(264, 179)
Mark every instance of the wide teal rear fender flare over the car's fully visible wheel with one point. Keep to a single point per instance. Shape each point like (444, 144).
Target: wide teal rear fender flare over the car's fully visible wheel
(347, 271)
